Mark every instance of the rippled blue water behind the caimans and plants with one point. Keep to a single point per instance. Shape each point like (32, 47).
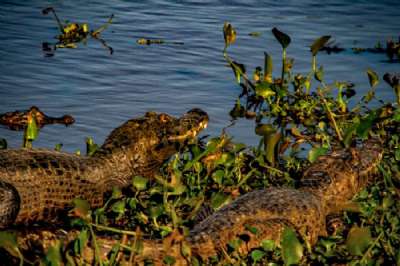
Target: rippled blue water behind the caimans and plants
(102, 91)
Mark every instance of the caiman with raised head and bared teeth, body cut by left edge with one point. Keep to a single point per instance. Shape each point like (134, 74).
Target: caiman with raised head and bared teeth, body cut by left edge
(39, 184)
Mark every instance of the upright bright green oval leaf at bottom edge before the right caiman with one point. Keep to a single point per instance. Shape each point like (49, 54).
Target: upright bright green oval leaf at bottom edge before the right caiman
(292, 250)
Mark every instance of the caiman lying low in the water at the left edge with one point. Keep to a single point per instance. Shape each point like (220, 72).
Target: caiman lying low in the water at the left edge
(18, 120)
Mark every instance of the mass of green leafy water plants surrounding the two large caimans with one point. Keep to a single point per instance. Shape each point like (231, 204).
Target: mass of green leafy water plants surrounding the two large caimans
(298, 118)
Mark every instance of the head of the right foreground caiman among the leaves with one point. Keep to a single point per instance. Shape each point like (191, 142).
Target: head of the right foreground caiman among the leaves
(338, 176)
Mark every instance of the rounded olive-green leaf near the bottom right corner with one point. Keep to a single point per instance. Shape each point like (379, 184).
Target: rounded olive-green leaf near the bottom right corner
(358, 240)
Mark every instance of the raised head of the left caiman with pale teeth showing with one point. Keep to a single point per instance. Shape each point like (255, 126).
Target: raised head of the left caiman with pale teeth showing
(145, 143)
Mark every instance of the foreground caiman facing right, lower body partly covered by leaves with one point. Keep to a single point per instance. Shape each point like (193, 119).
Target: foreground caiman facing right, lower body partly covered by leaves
(325, 188)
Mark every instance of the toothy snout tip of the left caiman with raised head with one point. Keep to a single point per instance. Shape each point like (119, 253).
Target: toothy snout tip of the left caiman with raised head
(190, 125)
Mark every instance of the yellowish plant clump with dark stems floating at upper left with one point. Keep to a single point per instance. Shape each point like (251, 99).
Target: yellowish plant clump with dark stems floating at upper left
(71, 34)
